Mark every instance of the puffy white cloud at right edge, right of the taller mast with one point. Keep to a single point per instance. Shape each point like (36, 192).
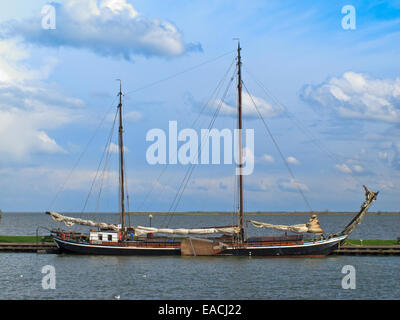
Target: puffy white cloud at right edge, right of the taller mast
(358, 96)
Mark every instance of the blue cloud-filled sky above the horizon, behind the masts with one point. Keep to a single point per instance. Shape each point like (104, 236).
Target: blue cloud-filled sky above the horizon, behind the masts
(326, 82)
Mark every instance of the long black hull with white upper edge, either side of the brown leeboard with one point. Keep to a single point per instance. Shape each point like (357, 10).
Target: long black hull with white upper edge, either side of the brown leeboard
(309, 249)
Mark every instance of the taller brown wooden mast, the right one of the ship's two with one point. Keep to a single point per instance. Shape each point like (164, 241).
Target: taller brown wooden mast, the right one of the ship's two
(239, 86)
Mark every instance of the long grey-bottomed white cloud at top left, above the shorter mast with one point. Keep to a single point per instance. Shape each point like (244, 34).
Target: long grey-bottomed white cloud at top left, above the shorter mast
(110, 28)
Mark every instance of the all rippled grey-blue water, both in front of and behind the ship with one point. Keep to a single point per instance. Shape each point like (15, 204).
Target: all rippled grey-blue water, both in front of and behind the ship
(178, 278)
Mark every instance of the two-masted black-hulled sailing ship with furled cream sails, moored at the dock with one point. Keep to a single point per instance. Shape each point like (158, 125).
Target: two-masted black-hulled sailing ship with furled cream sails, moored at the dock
(120, 239)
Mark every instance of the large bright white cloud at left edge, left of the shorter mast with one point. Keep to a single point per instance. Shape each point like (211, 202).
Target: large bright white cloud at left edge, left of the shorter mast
(29, 107)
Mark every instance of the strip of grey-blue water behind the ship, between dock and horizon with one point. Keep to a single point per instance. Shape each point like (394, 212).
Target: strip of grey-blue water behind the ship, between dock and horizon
(372, 227)
